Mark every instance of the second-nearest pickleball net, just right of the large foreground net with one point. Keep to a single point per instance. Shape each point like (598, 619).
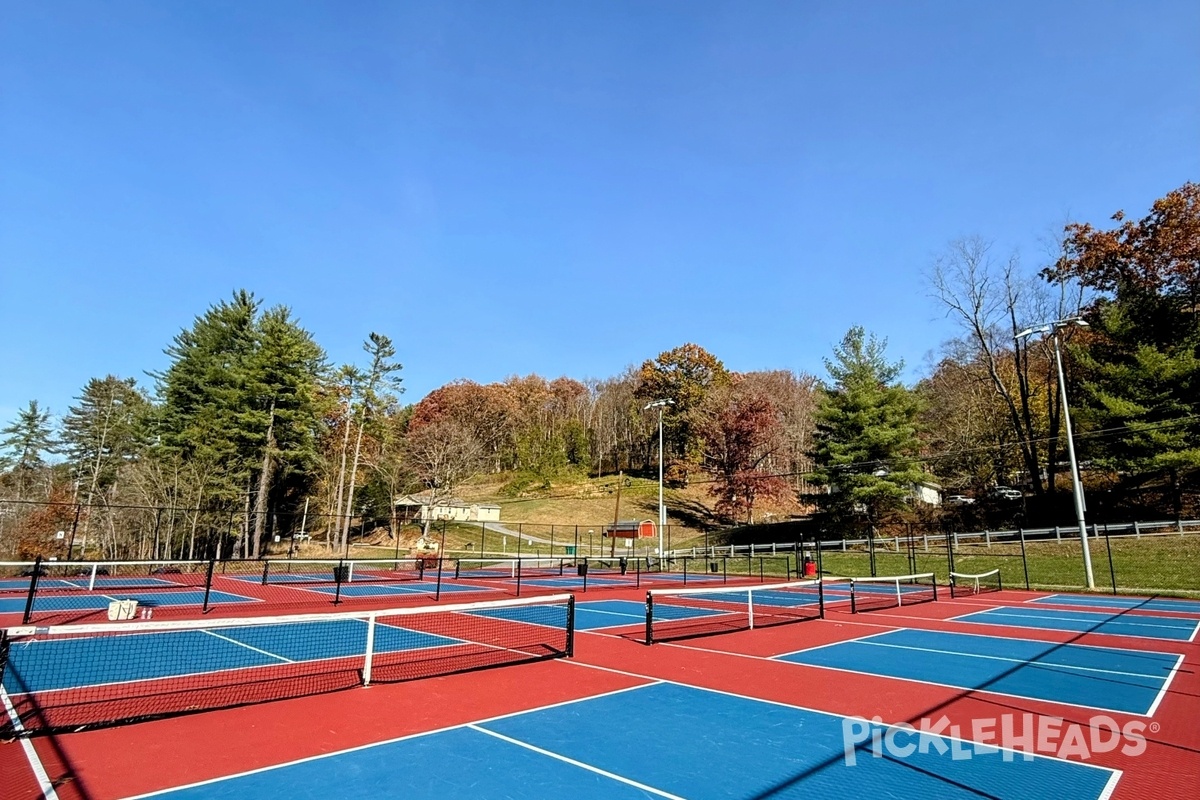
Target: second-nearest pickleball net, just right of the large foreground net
(675, 615)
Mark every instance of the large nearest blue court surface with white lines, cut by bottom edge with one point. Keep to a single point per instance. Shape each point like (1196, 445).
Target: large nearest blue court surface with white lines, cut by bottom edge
(667, 741)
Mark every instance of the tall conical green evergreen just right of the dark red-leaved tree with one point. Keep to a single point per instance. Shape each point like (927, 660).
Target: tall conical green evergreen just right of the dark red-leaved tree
(866, 432)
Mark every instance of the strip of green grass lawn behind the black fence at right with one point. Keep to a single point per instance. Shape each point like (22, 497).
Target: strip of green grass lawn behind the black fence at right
(1148, 566)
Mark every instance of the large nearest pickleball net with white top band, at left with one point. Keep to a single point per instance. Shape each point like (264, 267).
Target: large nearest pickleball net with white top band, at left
(75, 677)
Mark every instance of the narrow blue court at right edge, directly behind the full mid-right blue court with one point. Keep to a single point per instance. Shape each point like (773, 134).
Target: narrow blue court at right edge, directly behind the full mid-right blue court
(1121, 624)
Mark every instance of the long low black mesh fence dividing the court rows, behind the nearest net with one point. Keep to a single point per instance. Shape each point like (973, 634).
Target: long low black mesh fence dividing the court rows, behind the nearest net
(61, 593)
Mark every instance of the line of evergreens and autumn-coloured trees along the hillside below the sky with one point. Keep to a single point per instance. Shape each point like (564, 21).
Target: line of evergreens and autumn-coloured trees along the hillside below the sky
(250, 431)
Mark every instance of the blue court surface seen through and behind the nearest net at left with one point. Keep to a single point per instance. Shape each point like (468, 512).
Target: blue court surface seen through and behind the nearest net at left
(47, 665)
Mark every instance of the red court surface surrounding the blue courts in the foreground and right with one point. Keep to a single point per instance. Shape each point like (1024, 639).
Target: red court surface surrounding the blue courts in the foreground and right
(152, 756)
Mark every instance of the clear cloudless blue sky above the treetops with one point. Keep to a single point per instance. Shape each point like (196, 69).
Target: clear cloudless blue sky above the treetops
(554, 188)
